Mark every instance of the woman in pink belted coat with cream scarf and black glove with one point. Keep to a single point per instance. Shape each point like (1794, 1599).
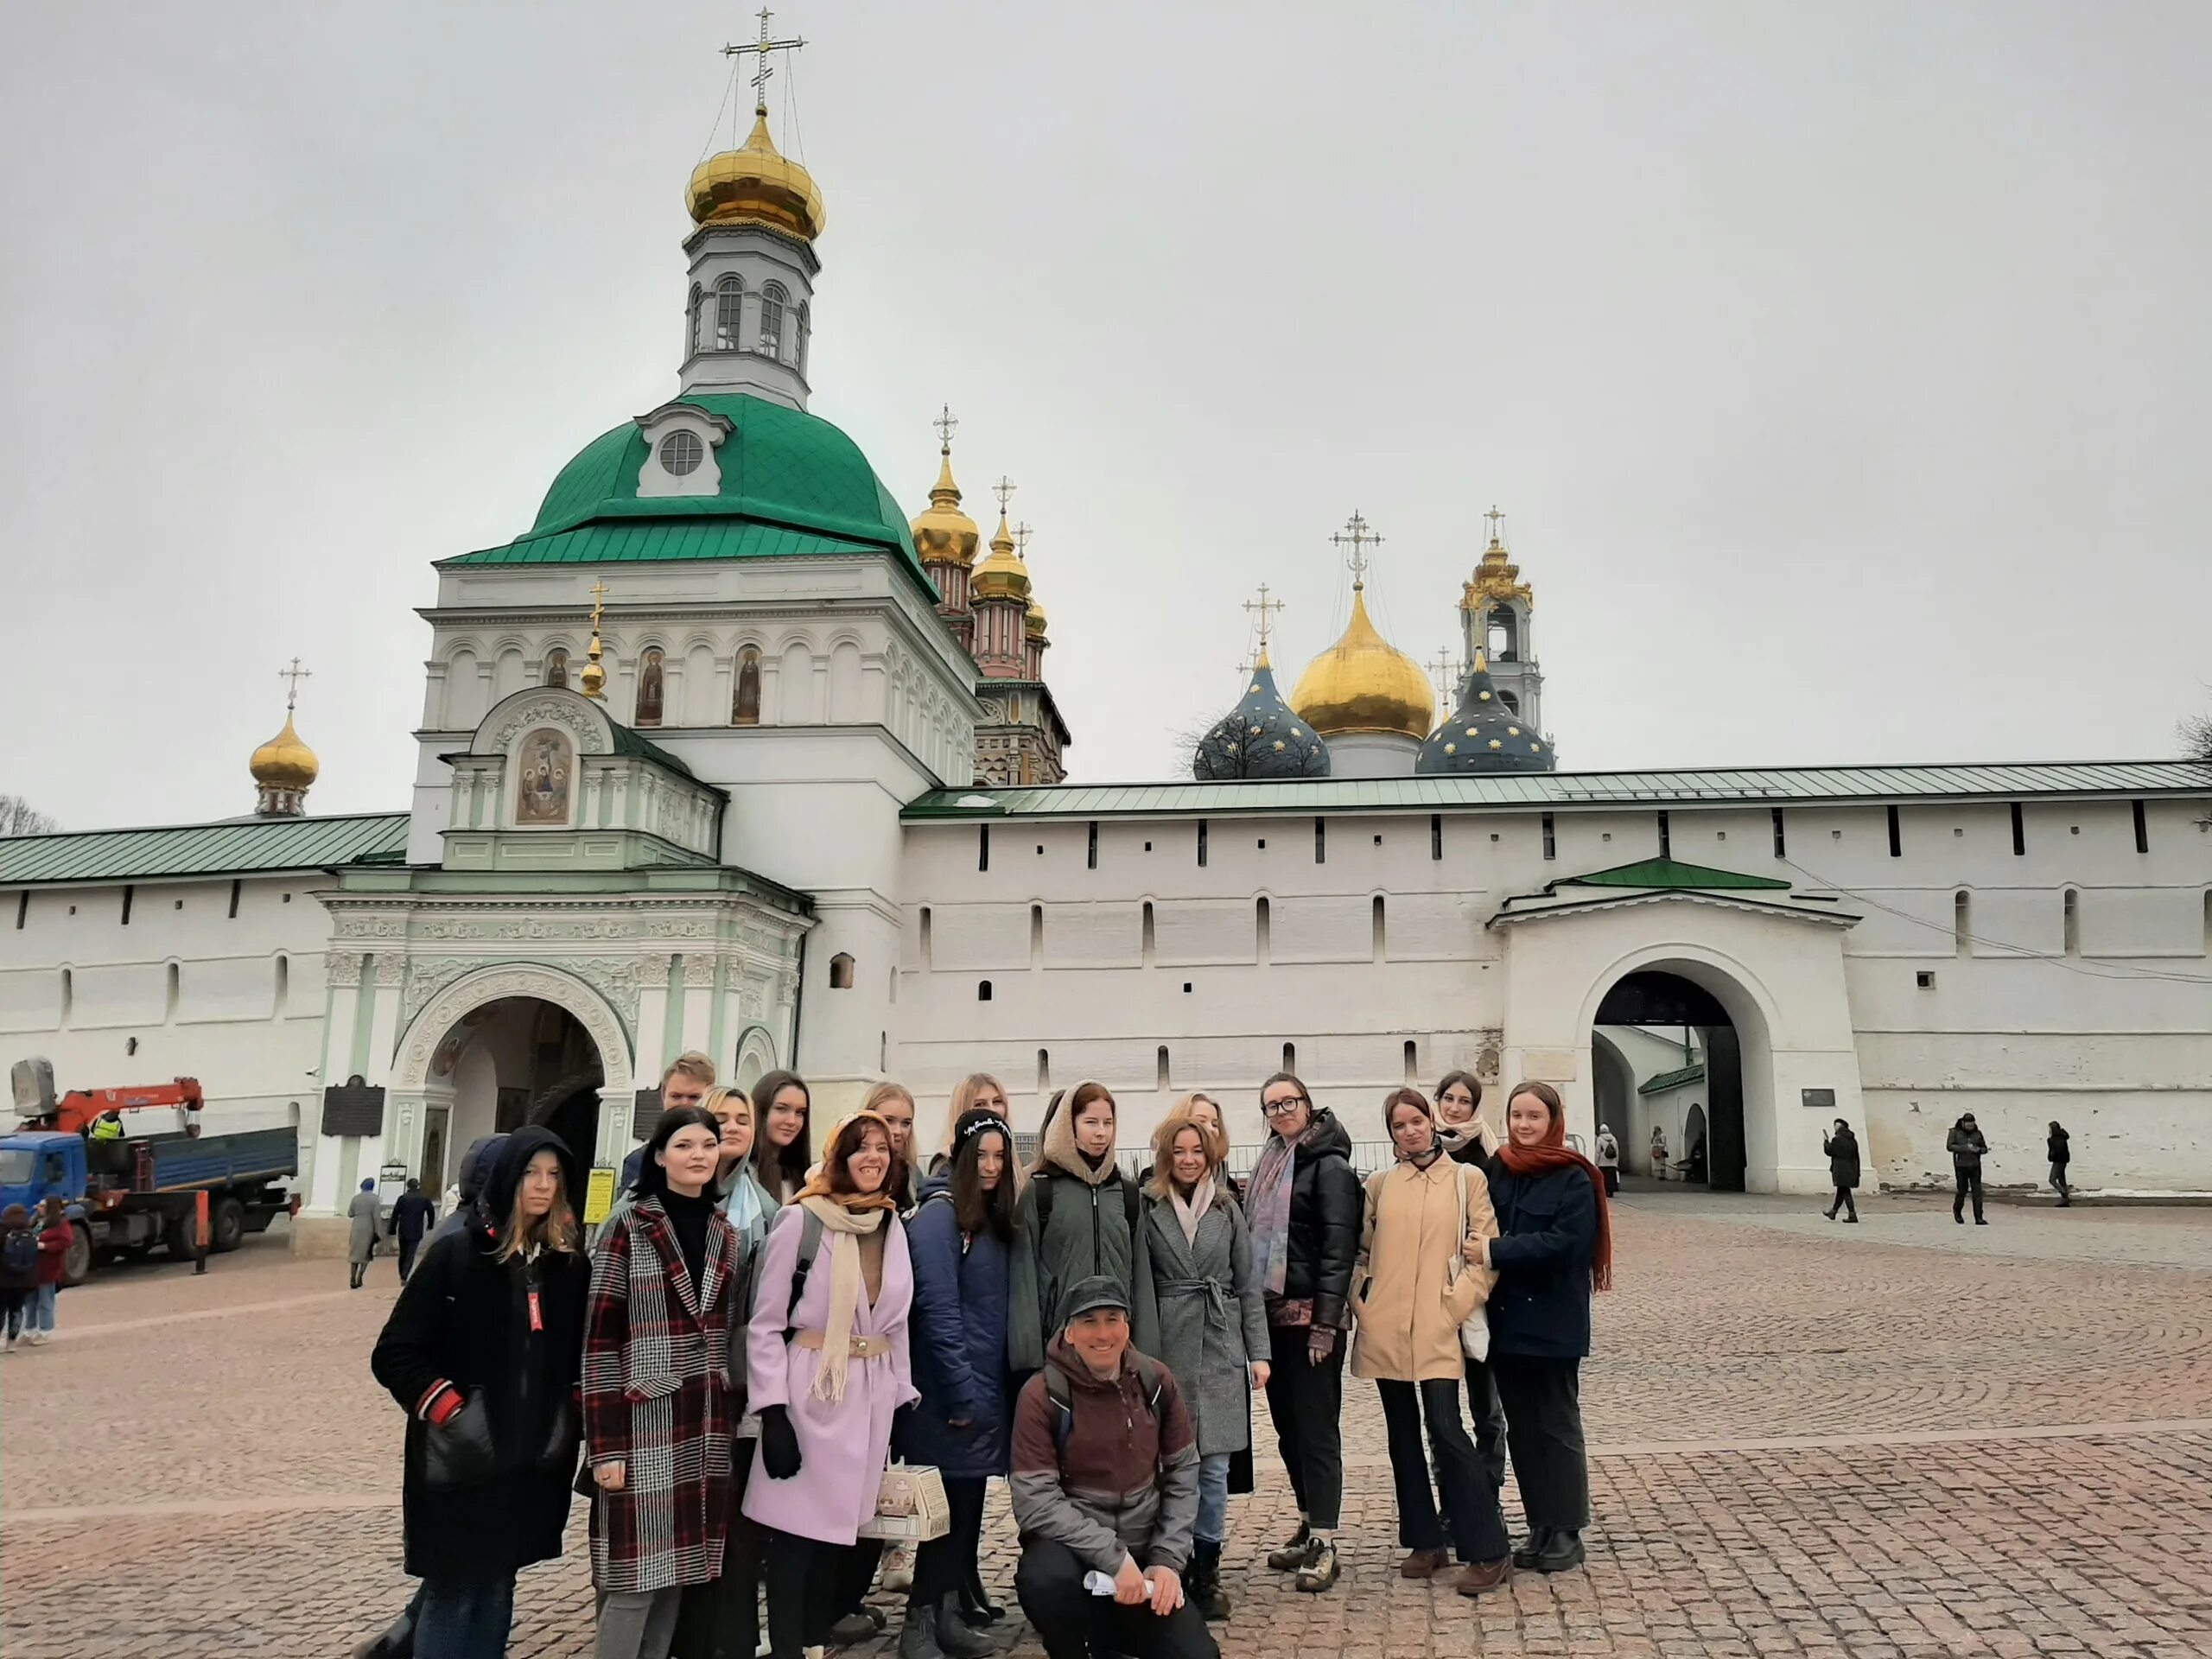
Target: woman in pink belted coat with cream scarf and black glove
(826, 1370)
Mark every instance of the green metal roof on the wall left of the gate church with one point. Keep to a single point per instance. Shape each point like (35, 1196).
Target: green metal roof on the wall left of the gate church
(229, 848)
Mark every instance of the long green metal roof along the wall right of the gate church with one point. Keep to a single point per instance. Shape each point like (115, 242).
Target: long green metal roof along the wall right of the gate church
(1718, 786)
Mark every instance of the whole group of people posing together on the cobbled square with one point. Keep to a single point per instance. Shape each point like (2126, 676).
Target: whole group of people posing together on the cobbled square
(753, 1337)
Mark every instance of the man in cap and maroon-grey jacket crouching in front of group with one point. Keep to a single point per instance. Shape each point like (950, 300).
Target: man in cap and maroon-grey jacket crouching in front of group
(1105, 1492)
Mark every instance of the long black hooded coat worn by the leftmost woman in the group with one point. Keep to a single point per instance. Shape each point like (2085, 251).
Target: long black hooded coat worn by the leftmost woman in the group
(488, 1494)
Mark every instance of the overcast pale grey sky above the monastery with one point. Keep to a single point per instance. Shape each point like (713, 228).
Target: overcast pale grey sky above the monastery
(1844, 373)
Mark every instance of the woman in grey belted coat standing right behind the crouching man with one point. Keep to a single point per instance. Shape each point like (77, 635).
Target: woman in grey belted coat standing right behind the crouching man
(1202, 1313)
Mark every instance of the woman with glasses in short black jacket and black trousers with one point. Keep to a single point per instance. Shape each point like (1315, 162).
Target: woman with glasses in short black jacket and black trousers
(1306, 1242)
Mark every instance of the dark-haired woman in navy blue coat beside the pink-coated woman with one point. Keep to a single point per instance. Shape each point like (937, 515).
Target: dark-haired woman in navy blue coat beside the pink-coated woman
(961, 1242)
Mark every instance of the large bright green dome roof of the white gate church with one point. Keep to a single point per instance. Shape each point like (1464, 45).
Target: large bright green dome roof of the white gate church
(791, 483)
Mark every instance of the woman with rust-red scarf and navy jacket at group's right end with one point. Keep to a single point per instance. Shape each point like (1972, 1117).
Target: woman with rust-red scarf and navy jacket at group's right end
(1554, 1244)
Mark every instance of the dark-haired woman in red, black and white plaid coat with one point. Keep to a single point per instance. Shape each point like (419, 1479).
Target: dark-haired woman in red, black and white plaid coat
(658, 1401)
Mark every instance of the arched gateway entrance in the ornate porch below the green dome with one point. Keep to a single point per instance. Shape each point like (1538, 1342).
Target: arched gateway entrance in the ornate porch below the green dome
(501, 1050)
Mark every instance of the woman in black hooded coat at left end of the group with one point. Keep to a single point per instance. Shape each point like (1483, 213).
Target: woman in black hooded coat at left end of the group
(483, 1350)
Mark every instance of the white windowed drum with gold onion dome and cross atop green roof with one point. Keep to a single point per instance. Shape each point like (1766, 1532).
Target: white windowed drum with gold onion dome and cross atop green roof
(751, 311)
